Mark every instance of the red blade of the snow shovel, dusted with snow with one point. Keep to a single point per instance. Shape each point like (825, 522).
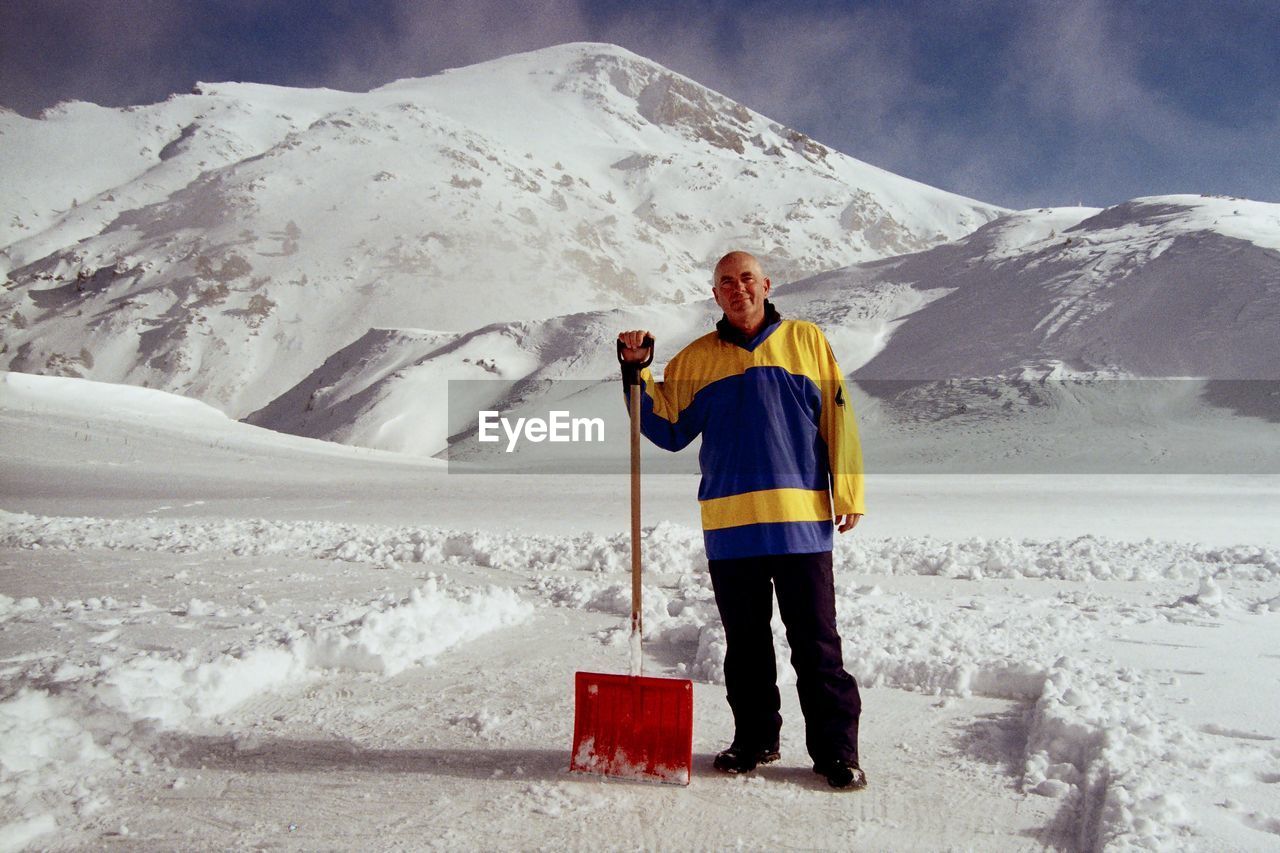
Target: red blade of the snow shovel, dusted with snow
(634, 727)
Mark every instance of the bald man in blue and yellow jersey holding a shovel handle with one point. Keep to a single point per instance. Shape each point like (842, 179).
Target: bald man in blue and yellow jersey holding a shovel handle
(780, 462)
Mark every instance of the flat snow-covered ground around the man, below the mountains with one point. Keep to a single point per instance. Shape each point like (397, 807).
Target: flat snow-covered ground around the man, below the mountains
(213, 636)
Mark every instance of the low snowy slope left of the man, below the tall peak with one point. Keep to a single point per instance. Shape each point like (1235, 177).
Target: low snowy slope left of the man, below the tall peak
(392, 389)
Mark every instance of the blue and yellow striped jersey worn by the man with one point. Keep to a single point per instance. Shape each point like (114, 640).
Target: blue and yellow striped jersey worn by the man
(780, 449)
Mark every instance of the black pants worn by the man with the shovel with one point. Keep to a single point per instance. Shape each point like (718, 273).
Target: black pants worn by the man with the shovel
(807, 601)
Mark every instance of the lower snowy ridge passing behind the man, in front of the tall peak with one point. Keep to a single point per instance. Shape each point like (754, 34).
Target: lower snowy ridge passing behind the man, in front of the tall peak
(952, 346)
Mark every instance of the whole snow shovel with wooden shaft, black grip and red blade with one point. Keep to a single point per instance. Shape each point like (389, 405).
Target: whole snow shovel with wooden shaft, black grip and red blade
(634, 727)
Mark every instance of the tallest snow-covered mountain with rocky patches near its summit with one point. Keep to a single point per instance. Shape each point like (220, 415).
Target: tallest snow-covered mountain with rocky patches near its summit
(225, 244)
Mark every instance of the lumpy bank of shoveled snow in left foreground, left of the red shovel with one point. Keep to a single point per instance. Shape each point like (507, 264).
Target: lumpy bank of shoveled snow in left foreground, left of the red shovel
(68, 719)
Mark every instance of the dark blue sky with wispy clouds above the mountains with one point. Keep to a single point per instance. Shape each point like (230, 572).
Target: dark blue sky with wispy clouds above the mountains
(1020, 103)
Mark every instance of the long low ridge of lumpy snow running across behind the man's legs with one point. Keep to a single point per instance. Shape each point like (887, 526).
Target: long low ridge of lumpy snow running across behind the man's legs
(670, 549)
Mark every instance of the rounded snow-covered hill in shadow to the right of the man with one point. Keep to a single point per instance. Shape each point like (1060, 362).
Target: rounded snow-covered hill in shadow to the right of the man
(1072, 340)
